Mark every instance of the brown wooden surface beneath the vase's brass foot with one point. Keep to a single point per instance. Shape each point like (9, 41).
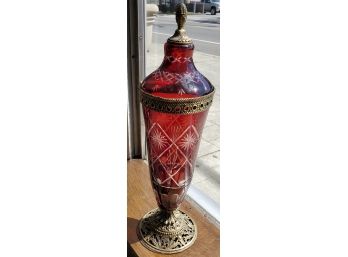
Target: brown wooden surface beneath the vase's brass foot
(141, 199)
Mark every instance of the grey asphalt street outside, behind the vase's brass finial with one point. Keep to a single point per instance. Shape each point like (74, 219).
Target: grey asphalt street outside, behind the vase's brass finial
(203, 29)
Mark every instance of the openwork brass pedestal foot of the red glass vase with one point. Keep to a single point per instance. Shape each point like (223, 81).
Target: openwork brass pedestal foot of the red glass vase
(167, 232)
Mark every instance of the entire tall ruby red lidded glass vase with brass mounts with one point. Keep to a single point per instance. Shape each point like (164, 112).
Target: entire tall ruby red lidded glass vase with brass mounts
(175, 98)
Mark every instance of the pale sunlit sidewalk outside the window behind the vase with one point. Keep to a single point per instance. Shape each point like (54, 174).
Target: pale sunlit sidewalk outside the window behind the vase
(207, 171)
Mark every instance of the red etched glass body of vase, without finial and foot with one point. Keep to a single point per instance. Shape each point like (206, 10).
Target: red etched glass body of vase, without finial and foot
(173, 137)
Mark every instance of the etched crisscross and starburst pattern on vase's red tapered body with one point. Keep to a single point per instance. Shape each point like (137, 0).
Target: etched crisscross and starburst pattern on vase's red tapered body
(173, 147)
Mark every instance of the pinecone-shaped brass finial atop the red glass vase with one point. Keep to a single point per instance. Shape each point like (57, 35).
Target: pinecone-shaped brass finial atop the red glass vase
(180, 36)
